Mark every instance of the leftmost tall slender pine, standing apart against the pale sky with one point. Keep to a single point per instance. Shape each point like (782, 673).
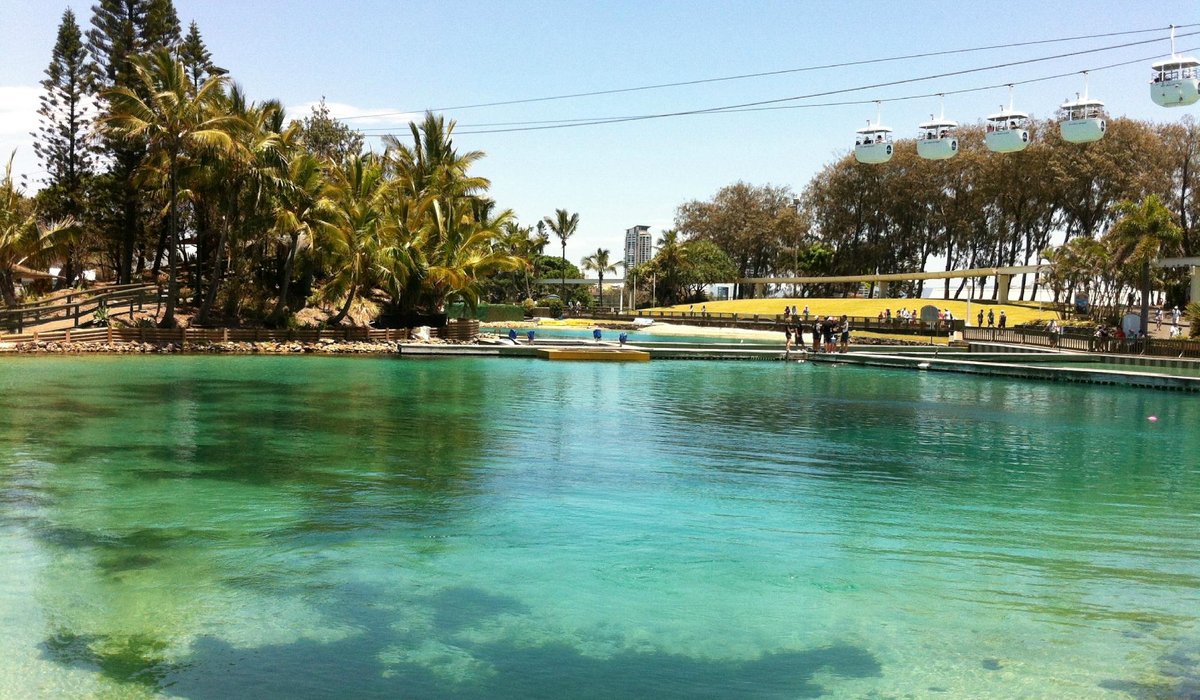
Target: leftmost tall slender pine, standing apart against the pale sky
(63, 141)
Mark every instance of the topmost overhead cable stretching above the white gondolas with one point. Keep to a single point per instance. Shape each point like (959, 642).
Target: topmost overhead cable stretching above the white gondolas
(779, 73)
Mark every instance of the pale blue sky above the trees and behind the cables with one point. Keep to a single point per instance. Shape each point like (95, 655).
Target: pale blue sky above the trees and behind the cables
(370, 57)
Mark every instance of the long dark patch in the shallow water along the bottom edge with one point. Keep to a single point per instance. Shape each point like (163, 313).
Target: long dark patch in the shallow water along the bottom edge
(383, 660)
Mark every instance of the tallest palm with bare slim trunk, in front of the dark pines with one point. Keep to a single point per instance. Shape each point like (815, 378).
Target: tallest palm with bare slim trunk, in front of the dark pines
(175, 121)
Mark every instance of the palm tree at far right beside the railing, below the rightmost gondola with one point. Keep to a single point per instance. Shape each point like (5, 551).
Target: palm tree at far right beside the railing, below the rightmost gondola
(1143, 234)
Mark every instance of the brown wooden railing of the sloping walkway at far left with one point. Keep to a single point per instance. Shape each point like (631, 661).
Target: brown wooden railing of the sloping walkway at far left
(76, 308)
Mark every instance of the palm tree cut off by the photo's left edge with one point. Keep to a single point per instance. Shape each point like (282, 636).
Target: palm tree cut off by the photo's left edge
(22, 237)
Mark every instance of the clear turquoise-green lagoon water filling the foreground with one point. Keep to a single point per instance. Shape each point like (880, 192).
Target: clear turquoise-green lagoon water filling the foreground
(316, 528)
